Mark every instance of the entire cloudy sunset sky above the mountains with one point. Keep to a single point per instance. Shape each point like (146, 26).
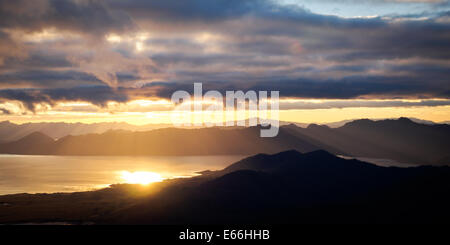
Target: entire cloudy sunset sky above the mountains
(120, 60)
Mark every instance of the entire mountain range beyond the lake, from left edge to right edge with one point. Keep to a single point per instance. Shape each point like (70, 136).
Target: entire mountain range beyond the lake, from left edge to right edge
(402, 140)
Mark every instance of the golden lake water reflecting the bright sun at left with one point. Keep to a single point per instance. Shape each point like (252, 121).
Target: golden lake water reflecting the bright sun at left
(48, 174)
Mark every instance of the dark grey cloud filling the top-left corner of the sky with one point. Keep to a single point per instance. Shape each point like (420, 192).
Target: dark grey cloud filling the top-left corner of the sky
(90, 17)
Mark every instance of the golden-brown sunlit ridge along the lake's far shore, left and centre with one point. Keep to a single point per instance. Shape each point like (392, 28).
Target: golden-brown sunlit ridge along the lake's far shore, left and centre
(168, 141)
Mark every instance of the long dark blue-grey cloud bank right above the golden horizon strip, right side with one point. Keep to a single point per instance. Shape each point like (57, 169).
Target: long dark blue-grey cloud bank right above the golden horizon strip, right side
(344, 88)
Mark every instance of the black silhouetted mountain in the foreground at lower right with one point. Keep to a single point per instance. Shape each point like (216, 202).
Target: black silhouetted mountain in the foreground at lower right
(291, 187)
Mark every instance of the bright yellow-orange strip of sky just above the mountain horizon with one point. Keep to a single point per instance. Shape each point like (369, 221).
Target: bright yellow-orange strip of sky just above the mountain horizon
(145, 112)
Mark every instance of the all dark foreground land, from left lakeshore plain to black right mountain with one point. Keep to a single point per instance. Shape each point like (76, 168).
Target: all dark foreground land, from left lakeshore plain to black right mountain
(287, 188)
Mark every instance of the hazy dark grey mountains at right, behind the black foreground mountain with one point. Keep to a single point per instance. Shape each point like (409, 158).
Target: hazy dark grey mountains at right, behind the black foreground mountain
(402, 140)
